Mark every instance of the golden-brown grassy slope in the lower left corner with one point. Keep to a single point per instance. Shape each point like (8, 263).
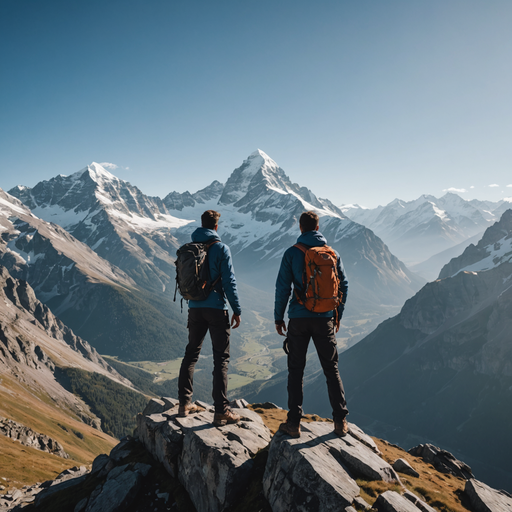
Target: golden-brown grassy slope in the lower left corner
(22, 465)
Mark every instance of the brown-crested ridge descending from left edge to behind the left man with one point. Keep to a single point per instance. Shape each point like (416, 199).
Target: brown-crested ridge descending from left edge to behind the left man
(92, 296)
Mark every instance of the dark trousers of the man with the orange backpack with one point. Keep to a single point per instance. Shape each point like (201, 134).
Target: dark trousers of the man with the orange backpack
(300, 331)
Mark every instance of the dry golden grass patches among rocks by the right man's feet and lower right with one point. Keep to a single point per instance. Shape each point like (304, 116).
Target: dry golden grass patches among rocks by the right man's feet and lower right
(441, 491)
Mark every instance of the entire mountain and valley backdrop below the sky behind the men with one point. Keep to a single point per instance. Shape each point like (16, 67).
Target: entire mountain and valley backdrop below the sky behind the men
(88, 282)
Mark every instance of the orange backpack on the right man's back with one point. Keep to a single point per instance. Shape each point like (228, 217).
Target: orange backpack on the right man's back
(320, 280)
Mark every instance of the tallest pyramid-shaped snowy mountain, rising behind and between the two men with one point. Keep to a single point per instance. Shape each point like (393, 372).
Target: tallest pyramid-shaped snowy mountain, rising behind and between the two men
(260, 208)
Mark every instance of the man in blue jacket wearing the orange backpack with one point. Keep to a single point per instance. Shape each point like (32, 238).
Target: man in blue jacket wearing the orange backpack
(305, 323)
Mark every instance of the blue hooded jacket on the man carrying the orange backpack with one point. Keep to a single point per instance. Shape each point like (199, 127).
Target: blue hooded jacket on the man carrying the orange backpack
(291, 271)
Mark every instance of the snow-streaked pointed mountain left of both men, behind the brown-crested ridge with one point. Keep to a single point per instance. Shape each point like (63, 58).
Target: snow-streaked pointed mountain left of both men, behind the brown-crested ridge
(122, 225)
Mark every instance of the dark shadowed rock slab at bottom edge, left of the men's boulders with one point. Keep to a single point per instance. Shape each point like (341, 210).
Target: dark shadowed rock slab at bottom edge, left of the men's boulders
(116, 493)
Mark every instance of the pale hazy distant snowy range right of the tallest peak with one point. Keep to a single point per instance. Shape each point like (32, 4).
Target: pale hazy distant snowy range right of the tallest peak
(419, 229)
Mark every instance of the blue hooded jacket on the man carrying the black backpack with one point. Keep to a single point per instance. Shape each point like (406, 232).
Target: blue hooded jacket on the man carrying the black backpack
(220, 263)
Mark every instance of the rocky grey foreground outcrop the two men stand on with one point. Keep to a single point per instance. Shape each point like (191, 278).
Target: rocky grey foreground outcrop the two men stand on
(187, 464)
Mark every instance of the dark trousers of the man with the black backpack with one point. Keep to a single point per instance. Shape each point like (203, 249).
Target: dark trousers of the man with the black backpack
(200, 321)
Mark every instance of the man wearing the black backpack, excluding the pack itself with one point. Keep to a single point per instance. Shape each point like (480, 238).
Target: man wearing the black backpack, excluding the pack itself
(211, 315)
